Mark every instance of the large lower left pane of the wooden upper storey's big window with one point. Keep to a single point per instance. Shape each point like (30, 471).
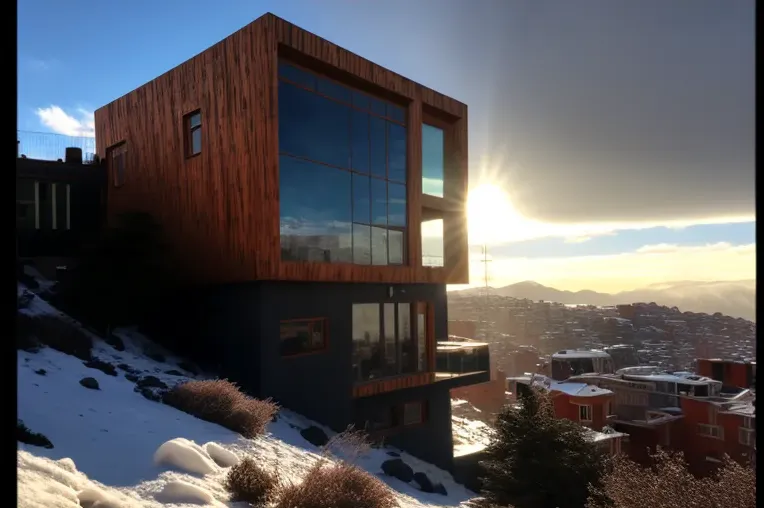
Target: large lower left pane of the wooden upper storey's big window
(315, 212)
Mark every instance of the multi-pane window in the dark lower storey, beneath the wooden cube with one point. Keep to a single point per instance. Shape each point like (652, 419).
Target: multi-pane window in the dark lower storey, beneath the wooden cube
(386, 341)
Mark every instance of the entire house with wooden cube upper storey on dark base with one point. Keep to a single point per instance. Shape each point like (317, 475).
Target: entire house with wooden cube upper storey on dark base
(314, 203)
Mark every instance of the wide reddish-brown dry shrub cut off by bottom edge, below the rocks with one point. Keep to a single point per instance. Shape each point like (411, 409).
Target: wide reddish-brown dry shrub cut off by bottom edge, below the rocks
(339, 485)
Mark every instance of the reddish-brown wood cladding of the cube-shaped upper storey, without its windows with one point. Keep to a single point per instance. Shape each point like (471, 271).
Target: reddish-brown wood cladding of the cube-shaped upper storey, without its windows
(220, 208)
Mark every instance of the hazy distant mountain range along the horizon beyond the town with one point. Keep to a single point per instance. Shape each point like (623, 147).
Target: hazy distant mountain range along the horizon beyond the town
(733, 298)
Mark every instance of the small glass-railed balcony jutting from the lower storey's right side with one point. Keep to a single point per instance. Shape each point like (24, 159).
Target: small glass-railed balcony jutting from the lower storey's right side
(462, 363)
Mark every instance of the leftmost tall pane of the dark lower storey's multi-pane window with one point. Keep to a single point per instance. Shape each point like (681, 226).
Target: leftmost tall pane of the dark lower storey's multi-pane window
(367, 348)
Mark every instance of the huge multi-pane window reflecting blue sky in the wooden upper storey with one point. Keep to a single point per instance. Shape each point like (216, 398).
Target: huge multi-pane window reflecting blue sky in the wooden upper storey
(342, 172)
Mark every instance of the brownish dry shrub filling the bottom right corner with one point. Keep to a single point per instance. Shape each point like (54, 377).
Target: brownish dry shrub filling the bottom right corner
(668, 483)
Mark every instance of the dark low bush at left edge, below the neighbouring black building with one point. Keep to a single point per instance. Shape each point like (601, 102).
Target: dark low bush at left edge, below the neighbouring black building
(54, 331)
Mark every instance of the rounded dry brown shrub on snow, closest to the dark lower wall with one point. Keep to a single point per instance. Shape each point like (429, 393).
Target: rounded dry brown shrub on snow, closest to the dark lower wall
(220, 401)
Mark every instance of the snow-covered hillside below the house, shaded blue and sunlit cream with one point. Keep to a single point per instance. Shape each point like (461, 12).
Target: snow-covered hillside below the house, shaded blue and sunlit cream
(115, 448)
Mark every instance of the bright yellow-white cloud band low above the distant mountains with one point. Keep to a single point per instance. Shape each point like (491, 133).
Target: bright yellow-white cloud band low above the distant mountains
(651, 264)
